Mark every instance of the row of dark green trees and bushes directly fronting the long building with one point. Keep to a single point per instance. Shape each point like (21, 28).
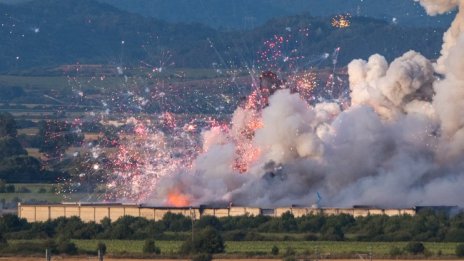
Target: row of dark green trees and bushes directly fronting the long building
(426, 226)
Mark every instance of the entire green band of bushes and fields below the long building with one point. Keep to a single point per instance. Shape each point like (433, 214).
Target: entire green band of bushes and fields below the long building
(286, 236)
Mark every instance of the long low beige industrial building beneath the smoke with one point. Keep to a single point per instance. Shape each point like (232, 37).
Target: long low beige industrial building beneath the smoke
(95, 212)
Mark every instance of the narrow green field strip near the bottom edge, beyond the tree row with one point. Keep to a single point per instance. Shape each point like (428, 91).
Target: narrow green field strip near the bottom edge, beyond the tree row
(244, 247)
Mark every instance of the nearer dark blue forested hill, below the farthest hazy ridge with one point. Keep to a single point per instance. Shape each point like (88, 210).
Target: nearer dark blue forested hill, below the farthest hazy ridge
(44, 33)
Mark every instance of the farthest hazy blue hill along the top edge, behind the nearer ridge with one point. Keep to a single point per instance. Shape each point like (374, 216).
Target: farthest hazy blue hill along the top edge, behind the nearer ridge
(244, 14)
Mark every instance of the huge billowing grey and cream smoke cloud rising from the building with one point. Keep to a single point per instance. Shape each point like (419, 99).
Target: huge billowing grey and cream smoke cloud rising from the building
(399, 144)
